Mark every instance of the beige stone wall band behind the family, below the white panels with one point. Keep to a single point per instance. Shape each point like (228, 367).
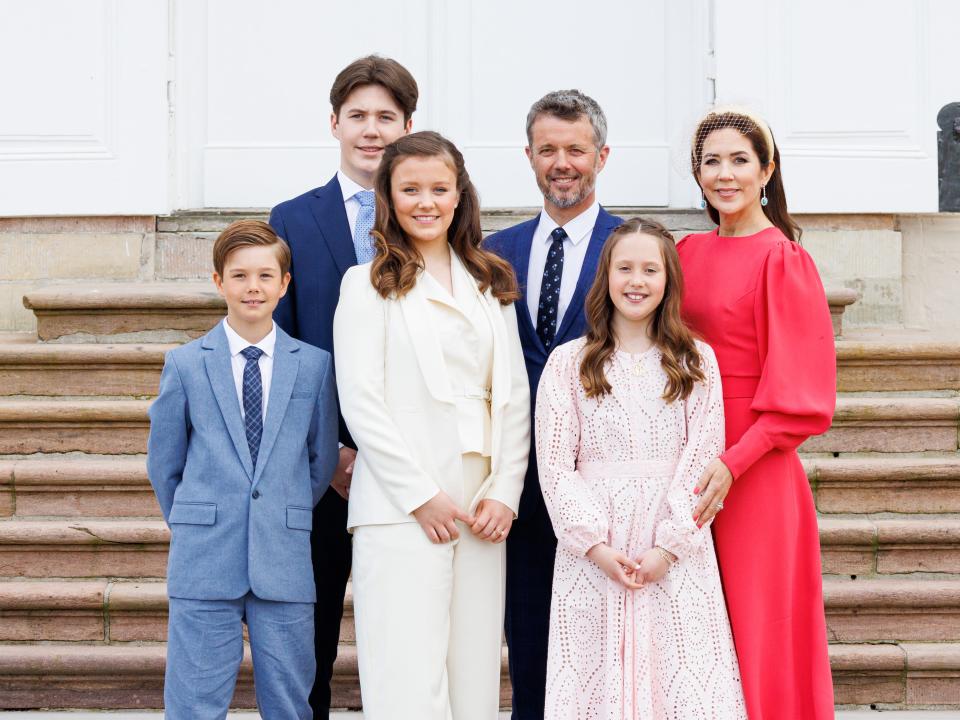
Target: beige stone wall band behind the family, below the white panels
(905, 268)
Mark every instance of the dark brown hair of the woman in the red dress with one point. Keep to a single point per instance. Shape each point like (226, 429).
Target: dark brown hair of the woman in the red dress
(776, 208)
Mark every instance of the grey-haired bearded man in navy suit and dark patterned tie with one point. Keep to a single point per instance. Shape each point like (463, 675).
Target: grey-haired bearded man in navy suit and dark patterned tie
(555, 257)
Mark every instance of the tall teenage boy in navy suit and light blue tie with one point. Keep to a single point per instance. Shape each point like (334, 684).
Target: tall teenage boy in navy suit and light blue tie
(328, 229)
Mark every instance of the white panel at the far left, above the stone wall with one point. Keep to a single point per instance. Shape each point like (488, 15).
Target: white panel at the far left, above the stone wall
(83, 126)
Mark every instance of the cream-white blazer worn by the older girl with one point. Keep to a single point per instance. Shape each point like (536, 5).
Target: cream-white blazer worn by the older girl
(395, 396)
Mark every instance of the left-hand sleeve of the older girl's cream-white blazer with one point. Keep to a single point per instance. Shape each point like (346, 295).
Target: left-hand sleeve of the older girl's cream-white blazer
(360, 354)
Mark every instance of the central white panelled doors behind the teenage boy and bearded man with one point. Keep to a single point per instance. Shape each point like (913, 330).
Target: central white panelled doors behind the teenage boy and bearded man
(479, 66)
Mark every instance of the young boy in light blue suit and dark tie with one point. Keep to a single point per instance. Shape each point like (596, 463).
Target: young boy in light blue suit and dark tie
(243, 442)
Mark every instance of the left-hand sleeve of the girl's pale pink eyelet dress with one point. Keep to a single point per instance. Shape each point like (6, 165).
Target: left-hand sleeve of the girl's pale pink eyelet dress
(579, 520)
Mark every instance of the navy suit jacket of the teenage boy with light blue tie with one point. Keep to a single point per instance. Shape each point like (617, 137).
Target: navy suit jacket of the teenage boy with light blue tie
(315, 227)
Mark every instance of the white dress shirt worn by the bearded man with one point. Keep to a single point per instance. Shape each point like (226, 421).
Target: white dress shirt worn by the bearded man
(574, 251)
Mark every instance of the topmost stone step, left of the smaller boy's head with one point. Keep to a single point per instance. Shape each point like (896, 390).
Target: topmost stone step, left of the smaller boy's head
(161, 312)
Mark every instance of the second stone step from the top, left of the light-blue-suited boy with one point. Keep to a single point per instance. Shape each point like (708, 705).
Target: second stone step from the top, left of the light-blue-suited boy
(80, 369)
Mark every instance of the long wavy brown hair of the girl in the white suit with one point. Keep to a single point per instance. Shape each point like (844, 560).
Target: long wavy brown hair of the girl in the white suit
(397, 262)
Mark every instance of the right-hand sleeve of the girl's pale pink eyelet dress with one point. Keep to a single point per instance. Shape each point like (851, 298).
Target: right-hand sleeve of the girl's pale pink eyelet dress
(677, 531)
